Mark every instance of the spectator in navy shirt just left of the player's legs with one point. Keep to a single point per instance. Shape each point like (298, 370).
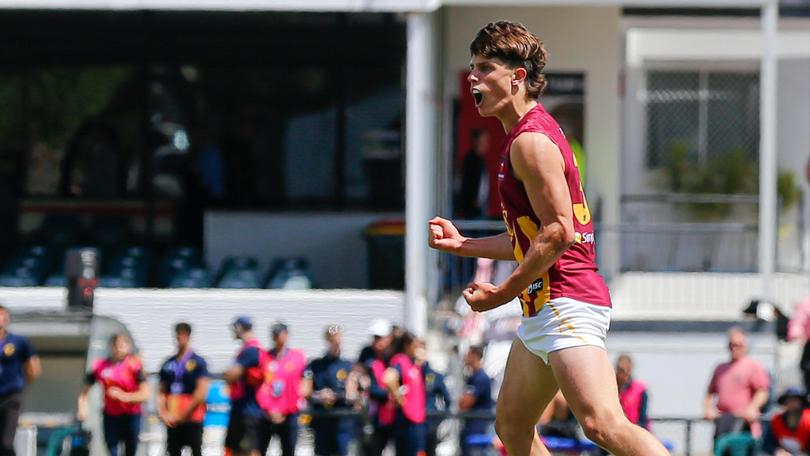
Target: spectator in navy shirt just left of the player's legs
(477, 397)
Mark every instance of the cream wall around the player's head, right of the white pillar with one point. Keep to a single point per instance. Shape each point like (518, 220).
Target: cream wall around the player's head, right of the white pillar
(579, 39)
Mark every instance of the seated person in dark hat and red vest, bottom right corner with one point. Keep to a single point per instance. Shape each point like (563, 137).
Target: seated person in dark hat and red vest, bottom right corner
(790, 428)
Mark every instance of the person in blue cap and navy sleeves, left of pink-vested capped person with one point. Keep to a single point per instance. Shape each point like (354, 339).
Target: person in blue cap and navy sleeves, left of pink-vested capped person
(243, 436)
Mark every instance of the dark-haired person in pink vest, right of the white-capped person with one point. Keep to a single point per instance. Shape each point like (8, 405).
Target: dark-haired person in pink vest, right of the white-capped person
(405, 383)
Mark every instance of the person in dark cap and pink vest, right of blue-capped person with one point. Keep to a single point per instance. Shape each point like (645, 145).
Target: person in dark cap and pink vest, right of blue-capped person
(281, 393)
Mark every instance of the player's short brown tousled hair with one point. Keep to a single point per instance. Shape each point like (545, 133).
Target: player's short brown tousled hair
(513, 43)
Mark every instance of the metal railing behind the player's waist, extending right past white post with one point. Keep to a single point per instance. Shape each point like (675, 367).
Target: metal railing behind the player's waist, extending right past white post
(672, 232)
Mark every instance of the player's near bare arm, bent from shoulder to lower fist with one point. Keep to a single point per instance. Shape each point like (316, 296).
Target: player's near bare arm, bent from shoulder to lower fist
(538, 164)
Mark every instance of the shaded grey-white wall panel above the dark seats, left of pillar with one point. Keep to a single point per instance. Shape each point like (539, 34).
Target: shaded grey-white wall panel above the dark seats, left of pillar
(333, 243)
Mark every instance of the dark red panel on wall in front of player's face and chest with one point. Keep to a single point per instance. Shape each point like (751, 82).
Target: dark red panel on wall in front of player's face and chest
(469, 119)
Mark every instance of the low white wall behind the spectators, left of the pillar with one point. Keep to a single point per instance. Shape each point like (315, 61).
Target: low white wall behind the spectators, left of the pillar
(150, 316)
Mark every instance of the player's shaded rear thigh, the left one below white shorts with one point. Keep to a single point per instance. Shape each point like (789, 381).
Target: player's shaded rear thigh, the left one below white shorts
(528, 386)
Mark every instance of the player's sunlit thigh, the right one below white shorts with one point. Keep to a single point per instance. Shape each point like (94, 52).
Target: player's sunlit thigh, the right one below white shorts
(587, 381)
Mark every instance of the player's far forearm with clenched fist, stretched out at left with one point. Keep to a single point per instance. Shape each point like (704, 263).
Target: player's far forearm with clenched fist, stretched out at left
(444, 236)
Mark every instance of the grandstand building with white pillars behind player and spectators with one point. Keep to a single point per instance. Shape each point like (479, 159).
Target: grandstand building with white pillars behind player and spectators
(251, 177)
